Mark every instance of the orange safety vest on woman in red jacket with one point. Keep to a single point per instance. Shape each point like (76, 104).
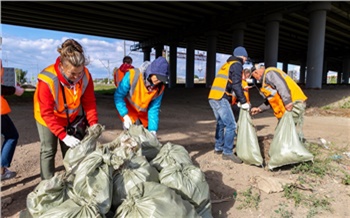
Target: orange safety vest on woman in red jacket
(49, 76)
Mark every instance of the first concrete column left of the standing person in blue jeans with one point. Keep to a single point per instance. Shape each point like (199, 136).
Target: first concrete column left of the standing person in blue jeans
(211, 58)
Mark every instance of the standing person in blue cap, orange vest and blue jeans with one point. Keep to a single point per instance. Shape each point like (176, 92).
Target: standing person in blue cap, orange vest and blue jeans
(228, 80)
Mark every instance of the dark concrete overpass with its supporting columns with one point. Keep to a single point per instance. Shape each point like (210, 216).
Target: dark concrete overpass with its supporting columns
(315, 35)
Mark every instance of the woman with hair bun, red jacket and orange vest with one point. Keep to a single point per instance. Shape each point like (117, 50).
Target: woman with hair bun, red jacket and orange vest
(69, 75)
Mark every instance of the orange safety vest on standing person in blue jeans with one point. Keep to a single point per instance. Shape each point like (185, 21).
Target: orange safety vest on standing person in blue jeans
(220, 82)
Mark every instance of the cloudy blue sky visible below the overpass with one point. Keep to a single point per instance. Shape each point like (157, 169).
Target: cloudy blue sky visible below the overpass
(33, 49)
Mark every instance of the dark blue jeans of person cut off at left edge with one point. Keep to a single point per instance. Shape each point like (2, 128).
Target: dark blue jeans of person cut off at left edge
(9, 131)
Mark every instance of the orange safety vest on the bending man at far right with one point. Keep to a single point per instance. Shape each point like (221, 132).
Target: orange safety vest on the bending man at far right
(274, 98)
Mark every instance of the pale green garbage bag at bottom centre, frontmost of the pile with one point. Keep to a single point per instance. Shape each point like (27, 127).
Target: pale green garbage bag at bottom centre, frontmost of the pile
(151, 199)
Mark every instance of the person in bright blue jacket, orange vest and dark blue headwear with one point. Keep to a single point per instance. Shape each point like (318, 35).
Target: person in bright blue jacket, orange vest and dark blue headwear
(139, 95)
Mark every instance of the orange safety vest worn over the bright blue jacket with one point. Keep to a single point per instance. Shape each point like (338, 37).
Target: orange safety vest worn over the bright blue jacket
(139, 98)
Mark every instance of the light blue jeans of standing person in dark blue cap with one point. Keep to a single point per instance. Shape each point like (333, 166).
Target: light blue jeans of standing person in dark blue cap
(224, 138)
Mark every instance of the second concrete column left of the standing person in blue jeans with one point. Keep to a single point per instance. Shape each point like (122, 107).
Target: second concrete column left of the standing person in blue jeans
(190, 62)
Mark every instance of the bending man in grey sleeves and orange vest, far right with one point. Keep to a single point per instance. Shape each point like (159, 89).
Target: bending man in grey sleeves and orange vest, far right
(282, 94)
